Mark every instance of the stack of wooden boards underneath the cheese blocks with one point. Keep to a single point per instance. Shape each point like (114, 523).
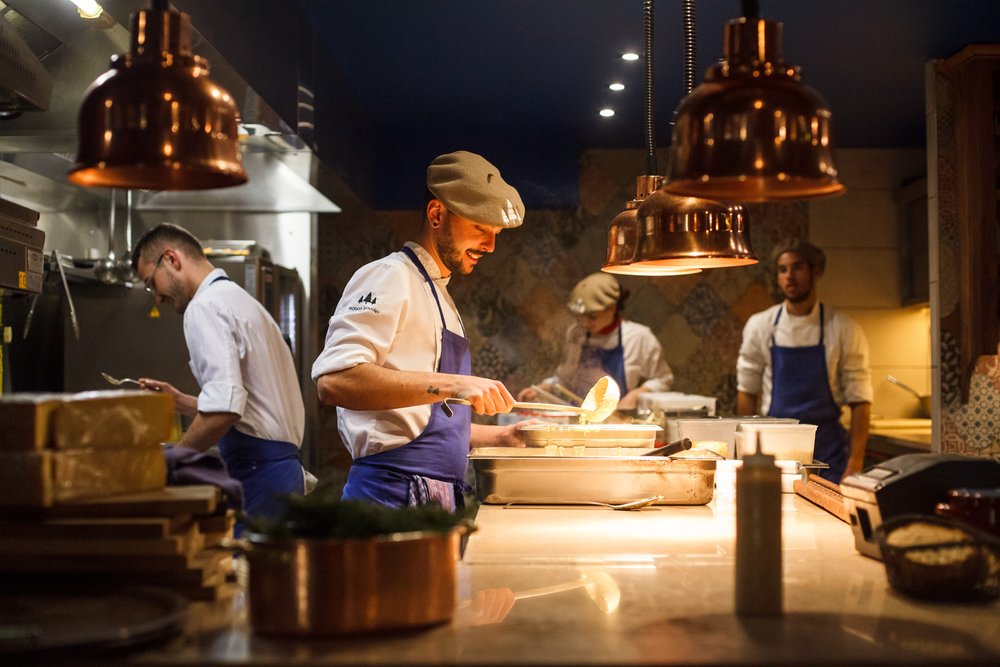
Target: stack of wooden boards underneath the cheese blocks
(165, 538)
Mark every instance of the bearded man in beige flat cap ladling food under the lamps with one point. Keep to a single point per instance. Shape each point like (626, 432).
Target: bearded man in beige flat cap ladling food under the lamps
(396, 347)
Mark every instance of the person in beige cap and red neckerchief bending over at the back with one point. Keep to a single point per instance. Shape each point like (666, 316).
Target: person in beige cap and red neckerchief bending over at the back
(603, 342)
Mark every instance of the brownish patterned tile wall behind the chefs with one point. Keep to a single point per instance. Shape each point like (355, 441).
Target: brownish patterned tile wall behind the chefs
(513, 304)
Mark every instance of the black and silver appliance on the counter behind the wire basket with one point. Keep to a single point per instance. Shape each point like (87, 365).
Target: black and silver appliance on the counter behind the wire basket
(909, 484)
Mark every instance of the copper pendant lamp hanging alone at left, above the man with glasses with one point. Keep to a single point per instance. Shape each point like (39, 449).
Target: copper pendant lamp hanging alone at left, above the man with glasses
(155, 121)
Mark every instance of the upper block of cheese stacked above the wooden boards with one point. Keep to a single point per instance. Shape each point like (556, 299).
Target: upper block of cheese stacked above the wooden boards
(86, 420)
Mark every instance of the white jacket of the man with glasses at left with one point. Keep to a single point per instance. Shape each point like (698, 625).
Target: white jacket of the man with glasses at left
(242, 363)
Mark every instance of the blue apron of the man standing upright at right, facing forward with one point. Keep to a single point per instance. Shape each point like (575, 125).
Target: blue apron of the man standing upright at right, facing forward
(800, 388)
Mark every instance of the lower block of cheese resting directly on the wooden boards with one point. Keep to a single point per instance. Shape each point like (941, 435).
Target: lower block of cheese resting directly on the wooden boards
(47, 477)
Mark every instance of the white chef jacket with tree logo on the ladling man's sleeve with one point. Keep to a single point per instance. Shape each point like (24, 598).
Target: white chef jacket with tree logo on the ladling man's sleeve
(387, 316)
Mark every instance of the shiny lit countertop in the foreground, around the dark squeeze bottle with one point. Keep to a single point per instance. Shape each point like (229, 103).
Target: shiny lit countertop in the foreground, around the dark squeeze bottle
(587, 585)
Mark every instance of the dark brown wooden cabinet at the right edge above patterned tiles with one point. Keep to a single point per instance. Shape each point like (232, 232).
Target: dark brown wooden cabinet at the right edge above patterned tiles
(965, 148)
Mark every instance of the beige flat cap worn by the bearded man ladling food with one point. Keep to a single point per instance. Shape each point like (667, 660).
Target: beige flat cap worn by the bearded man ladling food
(472, 187)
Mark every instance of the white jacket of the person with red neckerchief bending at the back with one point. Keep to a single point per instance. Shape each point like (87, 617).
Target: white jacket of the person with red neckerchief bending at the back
(645, 364)
